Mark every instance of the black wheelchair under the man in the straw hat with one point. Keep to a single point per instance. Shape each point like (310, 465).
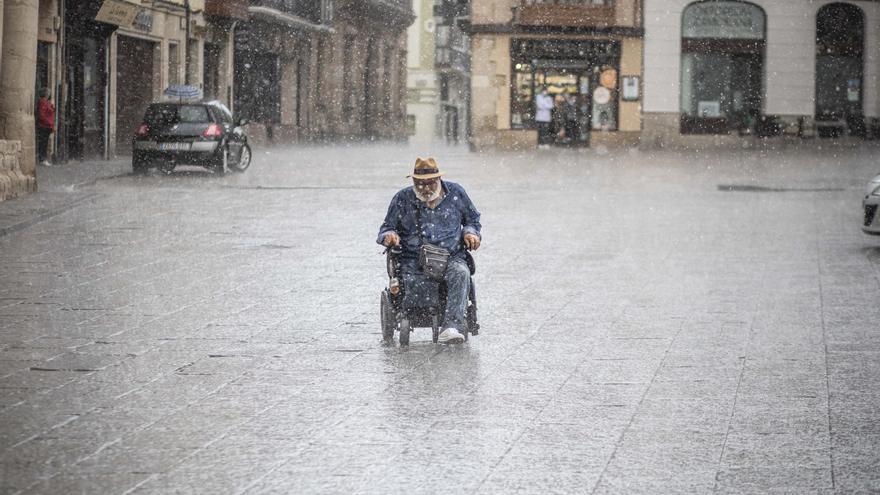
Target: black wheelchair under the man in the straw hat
(396, 317)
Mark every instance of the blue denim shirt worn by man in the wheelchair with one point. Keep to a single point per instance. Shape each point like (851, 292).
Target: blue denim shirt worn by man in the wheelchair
(443, 226)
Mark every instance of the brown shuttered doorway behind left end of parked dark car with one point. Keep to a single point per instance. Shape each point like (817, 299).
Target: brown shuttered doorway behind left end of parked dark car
(134, 88)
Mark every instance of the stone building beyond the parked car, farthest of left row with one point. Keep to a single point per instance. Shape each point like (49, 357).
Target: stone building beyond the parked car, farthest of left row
(323, 70)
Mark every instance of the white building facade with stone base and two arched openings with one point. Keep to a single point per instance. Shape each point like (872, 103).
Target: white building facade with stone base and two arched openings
(718, 72)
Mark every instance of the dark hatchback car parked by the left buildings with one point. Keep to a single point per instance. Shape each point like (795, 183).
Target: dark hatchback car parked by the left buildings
(190, 133)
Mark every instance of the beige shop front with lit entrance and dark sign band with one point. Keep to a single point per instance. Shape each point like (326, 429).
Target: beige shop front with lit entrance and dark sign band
(594, 84)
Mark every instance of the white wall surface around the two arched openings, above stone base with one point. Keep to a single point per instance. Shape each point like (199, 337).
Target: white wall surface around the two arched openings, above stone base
(789, 66)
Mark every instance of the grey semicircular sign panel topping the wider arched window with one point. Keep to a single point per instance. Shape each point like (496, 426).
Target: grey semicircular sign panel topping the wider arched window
(724, 20)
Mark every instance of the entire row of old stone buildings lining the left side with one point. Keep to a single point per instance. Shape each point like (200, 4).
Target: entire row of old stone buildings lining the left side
(300, 70)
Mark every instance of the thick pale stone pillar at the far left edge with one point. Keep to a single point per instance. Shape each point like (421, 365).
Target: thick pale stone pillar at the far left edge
(18, 53)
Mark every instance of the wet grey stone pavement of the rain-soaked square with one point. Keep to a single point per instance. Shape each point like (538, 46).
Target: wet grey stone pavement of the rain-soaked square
(652, 322)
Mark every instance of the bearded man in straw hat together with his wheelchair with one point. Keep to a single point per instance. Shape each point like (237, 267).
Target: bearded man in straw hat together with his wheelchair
(428, 231)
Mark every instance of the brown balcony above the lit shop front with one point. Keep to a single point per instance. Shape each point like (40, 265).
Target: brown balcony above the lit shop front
(598, 13)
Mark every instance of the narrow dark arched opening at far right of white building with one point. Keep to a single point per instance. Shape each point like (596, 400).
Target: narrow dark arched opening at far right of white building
(840, 42)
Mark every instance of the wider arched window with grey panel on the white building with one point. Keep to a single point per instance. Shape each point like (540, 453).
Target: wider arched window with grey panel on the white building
(722, 63)
